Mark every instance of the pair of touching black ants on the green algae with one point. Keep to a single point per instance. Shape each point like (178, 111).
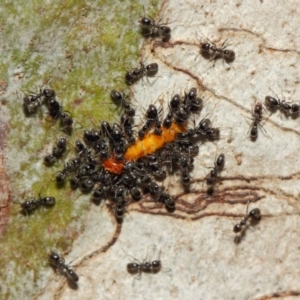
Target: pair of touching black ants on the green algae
(34, 101)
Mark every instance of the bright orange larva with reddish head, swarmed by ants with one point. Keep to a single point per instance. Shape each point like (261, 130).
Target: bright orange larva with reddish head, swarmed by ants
(149, 144)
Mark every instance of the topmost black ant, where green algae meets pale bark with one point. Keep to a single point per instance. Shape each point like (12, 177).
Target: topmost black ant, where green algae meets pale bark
(150, 28)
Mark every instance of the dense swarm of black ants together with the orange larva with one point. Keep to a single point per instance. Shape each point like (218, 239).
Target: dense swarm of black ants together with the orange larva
(113, 161)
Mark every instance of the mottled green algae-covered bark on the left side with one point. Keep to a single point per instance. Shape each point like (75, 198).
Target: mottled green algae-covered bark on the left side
(81, 51)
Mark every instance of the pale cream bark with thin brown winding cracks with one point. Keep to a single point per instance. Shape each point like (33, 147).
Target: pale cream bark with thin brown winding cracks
(199, 254)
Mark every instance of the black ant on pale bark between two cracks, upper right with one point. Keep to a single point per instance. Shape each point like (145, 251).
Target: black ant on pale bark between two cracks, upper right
(211, 51)
